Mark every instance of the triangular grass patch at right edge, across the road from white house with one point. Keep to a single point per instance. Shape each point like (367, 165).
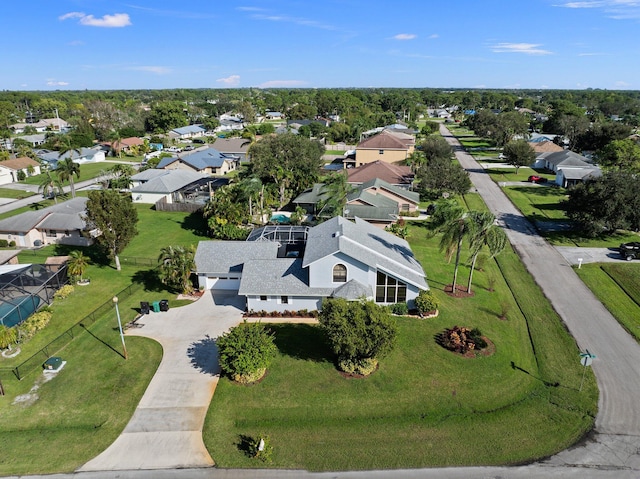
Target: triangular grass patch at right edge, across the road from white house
(617, 286)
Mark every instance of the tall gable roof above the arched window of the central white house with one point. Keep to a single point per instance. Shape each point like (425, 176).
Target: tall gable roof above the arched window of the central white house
(367, 244)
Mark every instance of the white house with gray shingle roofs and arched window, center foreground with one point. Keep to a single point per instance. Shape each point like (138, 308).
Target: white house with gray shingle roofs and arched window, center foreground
(338, 258)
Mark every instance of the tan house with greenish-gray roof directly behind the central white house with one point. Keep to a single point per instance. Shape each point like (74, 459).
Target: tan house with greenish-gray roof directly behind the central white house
(375, 201)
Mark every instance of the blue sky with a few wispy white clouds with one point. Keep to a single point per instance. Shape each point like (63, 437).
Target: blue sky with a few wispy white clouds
(106, 44)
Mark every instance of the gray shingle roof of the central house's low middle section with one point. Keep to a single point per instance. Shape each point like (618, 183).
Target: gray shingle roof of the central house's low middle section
(283, 277)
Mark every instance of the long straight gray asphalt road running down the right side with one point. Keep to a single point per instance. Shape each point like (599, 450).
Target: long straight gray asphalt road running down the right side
(616, 442)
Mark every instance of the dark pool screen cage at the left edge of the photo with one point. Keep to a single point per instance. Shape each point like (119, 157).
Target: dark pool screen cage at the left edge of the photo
(26, 287)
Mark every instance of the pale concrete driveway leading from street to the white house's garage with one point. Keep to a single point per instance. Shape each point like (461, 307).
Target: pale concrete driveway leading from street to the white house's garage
(166, 428)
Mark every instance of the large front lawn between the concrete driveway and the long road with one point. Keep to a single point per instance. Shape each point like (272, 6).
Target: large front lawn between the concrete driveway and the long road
(424, 406)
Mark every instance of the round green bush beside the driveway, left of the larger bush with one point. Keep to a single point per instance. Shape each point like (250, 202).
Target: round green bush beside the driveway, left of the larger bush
(246, 351)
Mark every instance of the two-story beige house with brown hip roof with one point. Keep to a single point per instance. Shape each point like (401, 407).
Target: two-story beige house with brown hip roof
(387, 146)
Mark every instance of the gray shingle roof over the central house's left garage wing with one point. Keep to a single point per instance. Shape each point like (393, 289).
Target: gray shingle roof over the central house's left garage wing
(229, 256)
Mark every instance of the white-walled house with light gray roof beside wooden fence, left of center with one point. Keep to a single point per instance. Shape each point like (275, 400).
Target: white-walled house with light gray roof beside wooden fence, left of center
(171, 186)
